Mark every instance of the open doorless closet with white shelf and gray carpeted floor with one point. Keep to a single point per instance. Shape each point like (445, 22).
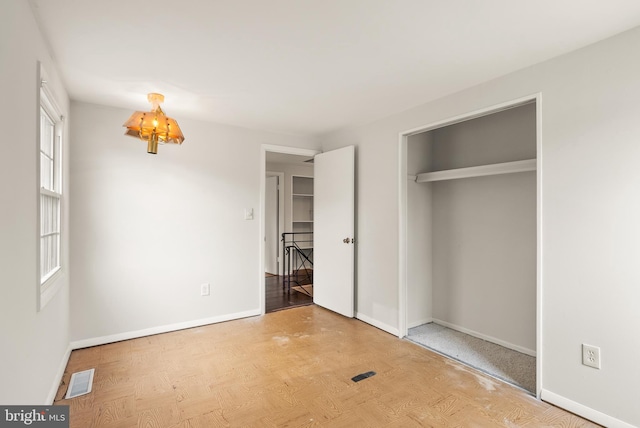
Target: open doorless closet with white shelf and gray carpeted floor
(470, 232)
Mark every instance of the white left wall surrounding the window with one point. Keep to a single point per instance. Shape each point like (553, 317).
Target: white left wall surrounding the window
(34, 344)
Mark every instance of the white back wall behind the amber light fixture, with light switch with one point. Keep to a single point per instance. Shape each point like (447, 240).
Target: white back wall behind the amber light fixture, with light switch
(149, 229)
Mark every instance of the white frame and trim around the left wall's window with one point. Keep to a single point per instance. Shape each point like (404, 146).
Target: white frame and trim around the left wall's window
(48, 284)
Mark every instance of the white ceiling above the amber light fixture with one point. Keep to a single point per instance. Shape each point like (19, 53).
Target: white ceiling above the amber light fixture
(308, 67)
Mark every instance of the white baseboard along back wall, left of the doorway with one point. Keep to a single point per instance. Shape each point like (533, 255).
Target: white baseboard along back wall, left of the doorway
(161, 329)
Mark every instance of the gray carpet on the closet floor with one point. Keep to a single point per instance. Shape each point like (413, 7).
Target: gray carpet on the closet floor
(511, 366)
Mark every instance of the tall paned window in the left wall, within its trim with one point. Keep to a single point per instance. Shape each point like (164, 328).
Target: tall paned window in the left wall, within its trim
(50, 190)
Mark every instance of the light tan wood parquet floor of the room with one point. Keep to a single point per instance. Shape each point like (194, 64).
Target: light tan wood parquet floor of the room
(292, 368)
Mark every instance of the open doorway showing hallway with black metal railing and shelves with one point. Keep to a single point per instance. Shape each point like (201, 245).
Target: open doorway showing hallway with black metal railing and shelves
(283, 168)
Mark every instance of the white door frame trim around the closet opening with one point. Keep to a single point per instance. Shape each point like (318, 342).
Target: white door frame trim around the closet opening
(403, 214)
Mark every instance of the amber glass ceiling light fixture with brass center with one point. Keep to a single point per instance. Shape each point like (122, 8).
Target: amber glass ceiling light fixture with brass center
(154, 127)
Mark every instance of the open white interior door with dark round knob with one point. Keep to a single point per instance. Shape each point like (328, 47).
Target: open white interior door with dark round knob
(333, 230)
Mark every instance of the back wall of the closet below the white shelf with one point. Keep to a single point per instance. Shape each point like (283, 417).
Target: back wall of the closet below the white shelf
(484, 256)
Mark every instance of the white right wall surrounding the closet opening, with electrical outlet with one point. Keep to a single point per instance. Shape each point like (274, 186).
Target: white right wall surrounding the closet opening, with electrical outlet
(590, 212)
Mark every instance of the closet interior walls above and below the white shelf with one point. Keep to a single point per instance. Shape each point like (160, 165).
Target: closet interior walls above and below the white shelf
(483, 229)
